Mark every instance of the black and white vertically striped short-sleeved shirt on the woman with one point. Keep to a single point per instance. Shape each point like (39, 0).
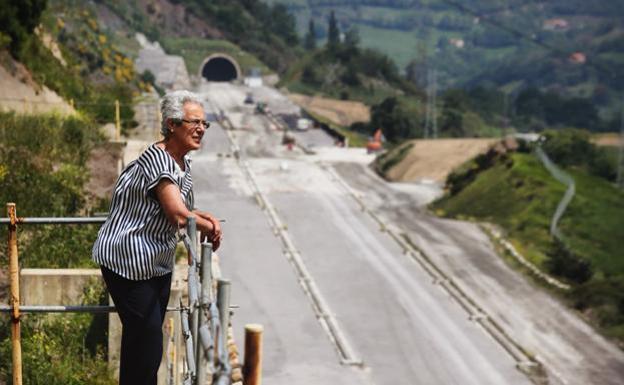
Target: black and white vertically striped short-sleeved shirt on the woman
(137, 241)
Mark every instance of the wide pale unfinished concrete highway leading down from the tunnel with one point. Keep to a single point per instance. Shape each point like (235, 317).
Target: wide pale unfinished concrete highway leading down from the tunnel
(396, 323)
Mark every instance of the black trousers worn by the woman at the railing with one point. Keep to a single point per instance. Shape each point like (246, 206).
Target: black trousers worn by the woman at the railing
(141, 306)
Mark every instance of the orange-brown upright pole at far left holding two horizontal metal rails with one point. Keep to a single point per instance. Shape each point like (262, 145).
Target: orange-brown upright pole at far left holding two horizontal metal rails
(14, 301)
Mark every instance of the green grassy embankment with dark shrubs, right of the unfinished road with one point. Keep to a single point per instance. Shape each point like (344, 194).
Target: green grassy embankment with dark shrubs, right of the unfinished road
(517, 193)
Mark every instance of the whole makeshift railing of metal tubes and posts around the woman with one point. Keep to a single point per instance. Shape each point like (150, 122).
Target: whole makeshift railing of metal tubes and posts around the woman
(204, 318)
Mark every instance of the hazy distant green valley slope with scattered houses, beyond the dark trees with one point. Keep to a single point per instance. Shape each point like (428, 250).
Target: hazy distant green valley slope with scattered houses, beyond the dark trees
(570, 48)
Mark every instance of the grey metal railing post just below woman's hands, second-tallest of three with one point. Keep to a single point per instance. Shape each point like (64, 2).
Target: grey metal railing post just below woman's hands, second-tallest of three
(206, 279)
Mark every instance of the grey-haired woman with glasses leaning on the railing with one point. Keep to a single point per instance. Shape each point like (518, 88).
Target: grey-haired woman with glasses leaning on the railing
(136, 245)
